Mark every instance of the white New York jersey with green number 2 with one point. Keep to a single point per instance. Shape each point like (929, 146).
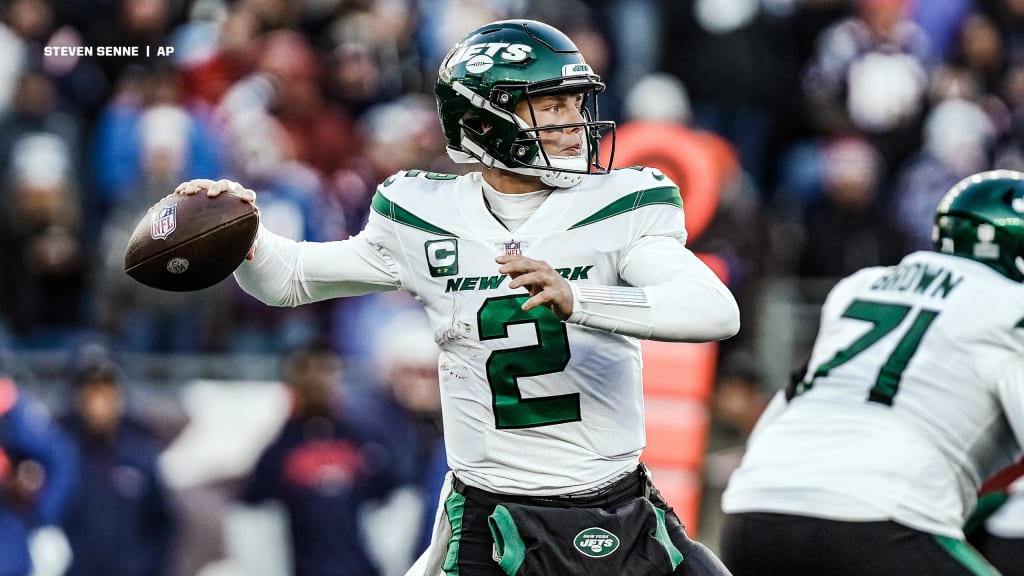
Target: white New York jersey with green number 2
(532, 405)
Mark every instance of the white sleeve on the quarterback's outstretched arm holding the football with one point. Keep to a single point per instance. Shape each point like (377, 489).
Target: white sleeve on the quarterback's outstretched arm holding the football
(285, 273)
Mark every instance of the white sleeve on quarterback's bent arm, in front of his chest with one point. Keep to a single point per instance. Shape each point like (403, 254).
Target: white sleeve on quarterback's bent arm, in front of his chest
(672, 297)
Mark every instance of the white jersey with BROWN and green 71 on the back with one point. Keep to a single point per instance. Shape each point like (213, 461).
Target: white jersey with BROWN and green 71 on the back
(914, 396)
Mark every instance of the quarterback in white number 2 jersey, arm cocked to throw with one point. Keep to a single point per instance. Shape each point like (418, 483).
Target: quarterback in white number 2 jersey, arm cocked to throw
(539, 274)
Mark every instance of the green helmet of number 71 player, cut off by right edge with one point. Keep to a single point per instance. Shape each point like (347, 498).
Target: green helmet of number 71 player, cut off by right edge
(982, 219)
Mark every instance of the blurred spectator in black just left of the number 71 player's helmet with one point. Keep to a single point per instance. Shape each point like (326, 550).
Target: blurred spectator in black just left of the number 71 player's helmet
(847, 229)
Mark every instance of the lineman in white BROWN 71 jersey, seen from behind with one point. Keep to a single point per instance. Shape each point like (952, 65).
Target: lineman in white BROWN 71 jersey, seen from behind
(914, 395)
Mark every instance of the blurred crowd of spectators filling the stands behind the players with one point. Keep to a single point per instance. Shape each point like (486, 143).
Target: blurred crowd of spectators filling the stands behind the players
(834, 128)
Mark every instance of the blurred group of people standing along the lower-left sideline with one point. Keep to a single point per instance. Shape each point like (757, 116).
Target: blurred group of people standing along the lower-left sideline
(312, 474)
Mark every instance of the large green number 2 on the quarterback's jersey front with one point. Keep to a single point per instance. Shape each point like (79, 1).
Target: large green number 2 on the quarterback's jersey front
(550, 354)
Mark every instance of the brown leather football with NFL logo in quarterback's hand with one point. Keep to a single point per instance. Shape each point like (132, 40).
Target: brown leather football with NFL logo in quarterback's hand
(187, 243)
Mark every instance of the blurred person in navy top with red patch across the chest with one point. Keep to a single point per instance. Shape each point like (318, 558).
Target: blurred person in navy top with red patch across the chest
(324, 469)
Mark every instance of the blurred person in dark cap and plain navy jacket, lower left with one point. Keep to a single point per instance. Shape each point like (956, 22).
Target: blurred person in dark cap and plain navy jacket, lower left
(121, 522)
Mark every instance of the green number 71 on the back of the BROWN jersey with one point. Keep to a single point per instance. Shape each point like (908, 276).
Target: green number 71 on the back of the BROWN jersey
(885, 318)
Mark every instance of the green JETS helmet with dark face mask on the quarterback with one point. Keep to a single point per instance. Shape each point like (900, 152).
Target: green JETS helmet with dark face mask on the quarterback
(490, 72)
